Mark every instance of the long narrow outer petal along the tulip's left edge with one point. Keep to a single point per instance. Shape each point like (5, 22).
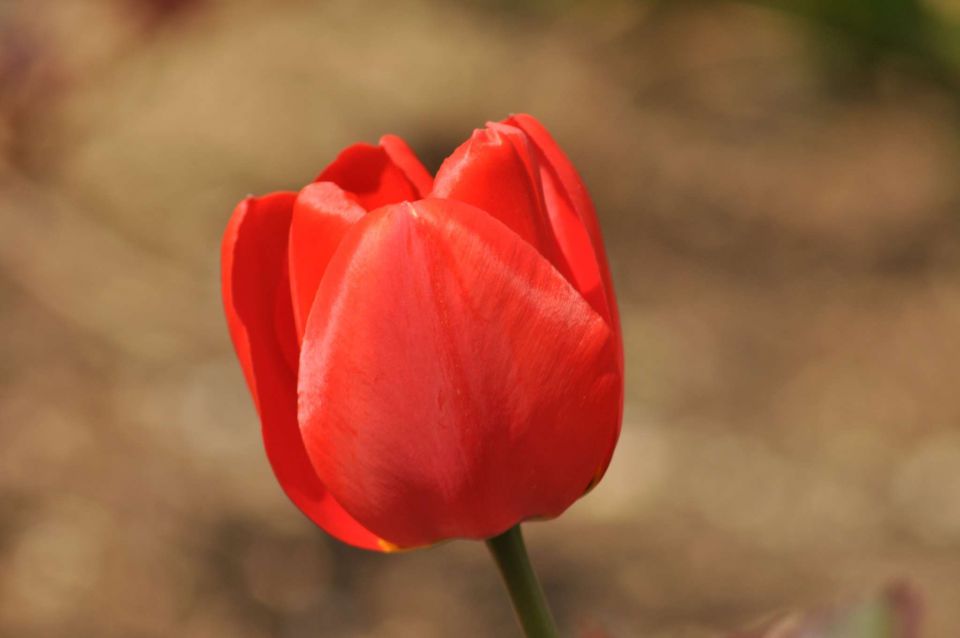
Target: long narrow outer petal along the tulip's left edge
(253, 261)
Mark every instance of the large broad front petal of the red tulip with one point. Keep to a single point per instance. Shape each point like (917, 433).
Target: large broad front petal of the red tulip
(452, 383)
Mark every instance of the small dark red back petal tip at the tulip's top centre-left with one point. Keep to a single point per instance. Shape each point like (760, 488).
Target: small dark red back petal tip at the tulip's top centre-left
(371, 176)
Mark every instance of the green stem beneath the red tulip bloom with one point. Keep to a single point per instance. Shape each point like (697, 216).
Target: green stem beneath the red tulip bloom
(525, 592)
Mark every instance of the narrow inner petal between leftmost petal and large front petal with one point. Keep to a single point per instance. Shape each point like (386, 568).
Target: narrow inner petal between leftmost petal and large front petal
(322, 213)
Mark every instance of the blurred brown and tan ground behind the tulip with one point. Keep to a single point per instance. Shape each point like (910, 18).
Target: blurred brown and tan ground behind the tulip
(778, 186)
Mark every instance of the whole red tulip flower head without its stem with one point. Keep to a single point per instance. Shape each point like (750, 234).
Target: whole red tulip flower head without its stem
(431, 358)
